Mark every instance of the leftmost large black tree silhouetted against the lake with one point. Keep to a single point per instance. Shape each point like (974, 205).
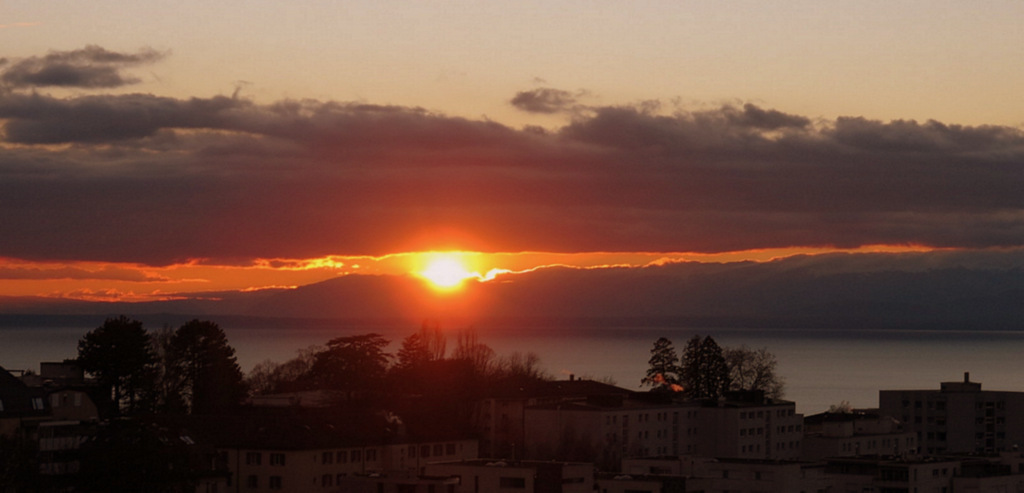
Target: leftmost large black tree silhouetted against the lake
(120, 355)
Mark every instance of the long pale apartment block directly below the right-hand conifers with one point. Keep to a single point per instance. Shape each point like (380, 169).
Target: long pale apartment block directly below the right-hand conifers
(608, 430)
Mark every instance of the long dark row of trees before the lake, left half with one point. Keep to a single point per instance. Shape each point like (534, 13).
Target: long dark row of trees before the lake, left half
(194, 371)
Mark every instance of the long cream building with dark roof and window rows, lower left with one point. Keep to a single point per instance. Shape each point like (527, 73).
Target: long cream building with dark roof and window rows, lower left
(301, 451)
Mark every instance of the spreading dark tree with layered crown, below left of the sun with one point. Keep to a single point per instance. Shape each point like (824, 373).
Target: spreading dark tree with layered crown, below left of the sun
(353, 363)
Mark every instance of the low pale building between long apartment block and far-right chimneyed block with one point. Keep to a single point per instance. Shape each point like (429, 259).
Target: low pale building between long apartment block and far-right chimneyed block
(847, 435)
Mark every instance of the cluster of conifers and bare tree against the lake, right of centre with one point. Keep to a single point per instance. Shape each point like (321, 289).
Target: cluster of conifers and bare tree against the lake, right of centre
(706, 371)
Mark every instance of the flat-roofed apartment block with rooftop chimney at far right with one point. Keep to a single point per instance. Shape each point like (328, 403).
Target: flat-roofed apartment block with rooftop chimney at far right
(960, 418)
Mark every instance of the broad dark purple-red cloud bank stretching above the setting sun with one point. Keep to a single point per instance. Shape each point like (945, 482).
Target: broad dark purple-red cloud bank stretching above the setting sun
(146, 179)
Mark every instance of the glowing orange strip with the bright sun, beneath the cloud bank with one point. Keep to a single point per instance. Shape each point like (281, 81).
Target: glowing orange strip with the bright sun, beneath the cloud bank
(445, 271)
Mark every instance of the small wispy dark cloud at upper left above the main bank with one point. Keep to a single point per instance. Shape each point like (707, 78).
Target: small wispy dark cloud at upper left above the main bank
(93, 67)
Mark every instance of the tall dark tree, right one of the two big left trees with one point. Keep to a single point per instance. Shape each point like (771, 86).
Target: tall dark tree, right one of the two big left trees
(204, 366)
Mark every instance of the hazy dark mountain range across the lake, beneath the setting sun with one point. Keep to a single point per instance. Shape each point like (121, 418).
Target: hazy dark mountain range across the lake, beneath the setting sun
(937, 291)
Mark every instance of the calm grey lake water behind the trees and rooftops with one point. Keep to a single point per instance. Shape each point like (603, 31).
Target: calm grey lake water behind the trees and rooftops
(821, 367)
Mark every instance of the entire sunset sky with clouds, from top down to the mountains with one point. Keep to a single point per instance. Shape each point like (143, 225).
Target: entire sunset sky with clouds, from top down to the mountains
(153, 150)
